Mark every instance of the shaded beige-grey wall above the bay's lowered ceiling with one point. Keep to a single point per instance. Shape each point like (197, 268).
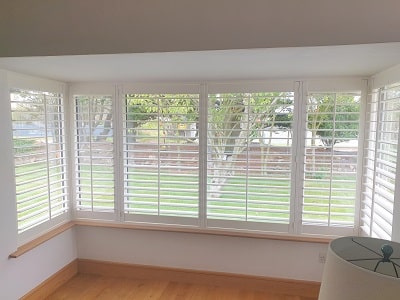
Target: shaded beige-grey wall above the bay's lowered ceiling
(59, 27)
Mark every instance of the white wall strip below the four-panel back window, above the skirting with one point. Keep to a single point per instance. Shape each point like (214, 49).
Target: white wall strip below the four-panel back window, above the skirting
(240, 255)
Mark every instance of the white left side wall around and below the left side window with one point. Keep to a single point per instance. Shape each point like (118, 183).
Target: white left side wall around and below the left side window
(20, 275)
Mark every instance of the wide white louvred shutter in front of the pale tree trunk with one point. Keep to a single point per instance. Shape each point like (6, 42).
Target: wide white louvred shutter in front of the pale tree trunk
(249, 142)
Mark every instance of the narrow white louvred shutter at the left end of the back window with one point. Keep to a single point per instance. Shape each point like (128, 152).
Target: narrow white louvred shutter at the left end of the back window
(94, 154)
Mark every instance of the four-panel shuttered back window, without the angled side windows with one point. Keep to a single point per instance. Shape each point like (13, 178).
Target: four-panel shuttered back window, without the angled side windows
(259, 156)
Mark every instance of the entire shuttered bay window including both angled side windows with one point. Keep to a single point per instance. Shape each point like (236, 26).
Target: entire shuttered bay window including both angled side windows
(278, 157)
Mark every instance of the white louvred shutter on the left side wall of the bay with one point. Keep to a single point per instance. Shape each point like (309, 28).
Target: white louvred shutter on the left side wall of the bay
(39, 152)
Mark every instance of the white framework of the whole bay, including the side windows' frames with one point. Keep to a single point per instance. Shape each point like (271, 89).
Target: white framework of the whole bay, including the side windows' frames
(20, 81)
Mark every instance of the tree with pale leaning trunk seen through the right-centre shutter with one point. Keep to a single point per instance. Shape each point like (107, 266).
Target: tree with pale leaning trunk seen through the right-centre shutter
(235, 120)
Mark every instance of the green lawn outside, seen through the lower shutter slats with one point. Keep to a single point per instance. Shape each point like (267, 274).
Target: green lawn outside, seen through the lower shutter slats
(265, 199)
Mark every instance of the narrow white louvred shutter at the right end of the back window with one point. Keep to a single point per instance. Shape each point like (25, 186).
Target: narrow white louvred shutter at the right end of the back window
(330, 171)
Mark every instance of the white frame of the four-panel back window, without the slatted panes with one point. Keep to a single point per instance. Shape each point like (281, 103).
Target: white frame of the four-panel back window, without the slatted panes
(300, 88)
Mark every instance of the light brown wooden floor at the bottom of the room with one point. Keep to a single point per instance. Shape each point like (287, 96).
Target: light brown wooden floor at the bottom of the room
(86, 287)
